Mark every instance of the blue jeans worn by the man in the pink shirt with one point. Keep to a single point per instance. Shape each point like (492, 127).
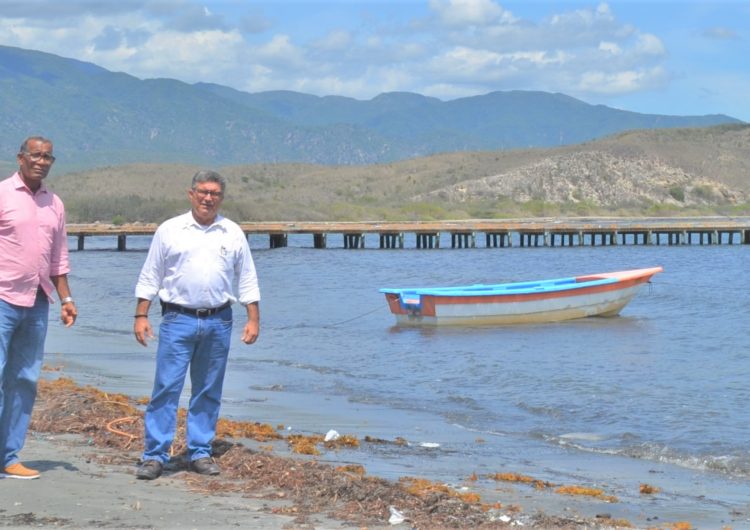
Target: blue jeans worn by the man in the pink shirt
(22, 334)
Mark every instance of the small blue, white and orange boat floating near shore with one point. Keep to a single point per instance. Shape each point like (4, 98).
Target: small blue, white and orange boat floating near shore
(601, 295)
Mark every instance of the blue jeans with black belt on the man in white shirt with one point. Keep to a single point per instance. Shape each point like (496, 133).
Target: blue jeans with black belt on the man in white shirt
(202, 344)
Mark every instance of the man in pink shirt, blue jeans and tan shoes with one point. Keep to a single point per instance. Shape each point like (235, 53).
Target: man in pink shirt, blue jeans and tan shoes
(33, 263)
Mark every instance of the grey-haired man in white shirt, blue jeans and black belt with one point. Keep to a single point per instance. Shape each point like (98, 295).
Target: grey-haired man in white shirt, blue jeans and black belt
(191, 265)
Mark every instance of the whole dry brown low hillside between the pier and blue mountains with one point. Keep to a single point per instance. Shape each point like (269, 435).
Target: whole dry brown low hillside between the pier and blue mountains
(665, 172)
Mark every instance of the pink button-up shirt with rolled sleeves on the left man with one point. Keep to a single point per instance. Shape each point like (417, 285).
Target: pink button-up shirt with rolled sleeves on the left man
(33, 241)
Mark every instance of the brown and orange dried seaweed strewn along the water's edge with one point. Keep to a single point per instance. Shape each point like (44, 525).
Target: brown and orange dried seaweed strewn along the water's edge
(344, 493)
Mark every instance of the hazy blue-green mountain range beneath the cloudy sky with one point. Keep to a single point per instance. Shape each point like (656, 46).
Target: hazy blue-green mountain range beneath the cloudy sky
(101, 118)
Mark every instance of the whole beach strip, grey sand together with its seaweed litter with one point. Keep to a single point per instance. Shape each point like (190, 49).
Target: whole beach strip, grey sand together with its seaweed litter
(88, 481)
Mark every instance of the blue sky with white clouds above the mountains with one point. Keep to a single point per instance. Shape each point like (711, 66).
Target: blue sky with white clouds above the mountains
(663, 57)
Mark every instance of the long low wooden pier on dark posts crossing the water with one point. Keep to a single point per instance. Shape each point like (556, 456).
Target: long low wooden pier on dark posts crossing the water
(548, 232)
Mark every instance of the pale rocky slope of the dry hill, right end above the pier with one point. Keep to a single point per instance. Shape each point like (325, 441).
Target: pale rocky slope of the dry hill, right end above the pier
(677, 168)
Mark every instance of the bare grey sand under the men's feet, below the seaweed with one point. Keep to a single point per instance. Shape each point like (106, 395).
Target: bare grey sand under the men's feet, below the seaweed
(75, 491)
